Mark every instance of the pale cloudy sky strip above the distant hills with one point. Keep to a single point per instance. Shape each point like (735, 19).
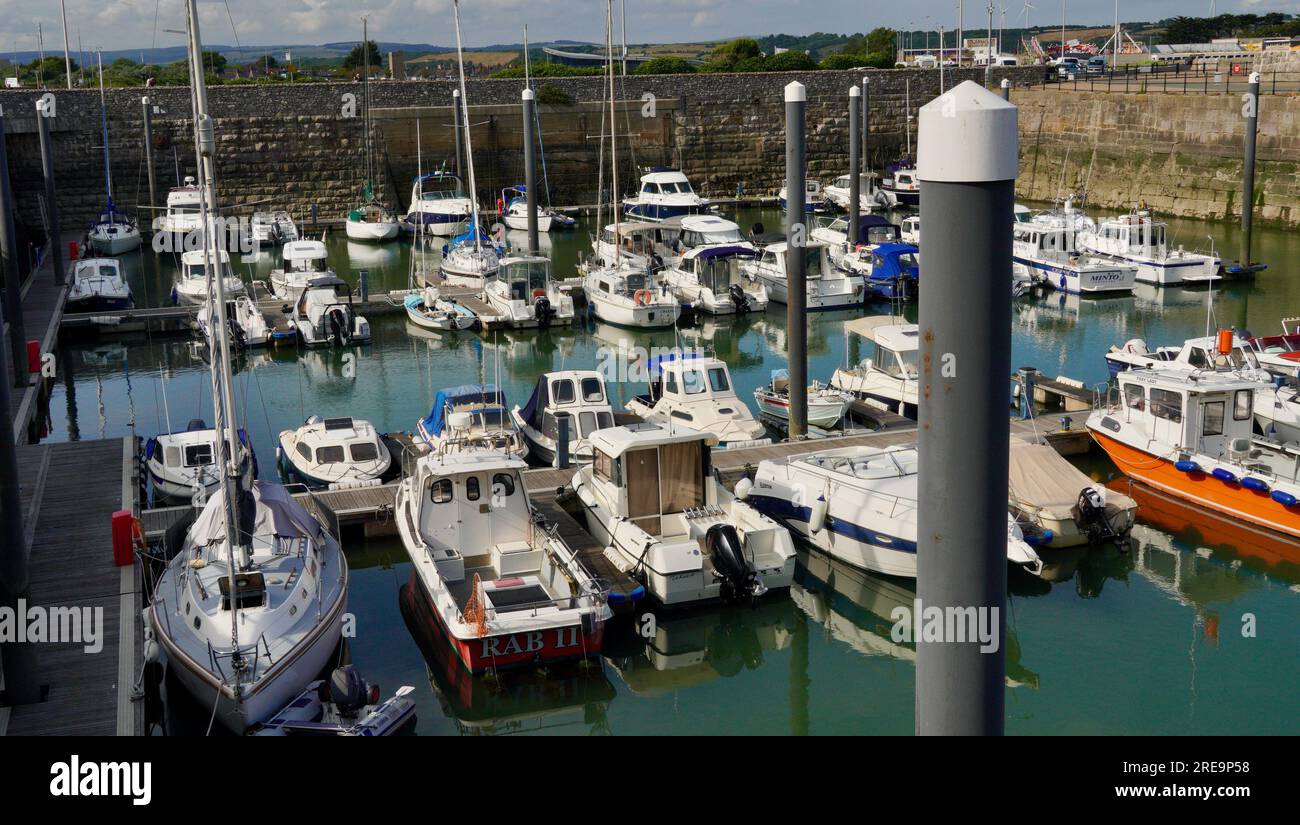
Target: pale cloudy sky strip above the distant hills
(141, 24)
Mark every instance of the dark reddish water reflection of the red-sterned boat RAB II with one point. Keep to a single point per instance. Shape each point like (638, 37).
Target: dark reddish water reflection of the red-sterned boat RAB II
(565, 698)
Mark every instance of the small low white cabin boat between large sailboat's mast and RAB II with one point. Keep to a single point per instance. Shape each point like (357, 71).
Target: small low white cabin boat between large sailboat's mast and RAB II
(336, 454)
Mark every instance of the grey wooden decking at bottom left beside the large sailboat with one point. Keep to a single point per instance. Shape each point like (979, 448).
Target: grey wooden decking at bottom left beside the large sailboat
(72, 492)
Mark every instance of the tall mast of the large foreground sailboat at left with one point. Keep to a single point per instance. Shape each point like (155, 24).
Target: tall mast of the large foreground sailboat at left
(228, 437)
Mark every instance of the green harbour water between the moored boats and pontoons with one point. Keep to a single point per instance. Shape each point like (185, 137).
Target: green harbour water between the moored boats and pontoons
(1136, 642)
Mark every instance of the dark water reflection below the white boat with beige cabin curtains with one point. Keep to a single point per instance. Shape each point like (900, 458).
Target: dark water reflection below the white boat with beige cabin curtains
(665, 653)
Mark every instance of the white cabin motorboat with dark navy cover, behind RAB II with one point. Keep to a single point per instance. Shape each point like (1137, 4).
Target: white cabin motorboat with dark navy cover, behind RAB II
(577, 396)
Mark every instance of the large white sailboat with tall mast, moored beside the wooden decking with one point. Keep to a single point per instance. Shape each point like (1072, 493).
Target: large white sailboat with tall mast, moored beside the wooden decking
(250, 607)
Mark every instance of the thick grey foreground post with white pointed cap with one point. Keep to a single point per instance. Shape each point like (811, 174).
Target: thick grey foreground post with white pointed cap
(967, 166)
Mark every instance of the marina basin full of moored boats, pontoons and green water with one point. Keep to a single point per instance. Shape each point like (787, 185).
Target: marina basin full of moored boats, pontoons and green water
(670, 471)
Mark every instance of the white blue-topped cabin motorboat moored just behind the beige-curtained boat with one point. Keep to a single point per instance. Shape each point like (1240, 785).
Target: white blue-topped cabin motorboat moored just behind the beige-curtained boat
(696, 390)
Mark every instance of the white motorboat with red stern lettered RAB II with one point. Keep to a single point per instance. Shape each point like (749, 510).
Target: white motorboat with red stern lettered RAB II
(502, 589)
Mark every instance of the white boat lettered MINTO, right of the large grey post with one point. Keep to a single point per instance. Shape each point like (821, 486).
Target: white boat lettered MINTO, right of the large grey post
(1046, 254)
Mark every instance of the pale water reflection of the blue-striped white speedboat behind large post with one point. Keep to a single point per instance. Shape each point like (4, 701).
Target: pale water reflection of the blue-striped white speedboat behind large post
(856, 609)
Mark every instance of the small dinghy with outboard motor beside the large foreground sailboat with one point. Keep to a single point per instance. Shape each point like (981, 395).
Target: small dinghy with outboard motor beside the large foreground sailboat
(345, 706)
